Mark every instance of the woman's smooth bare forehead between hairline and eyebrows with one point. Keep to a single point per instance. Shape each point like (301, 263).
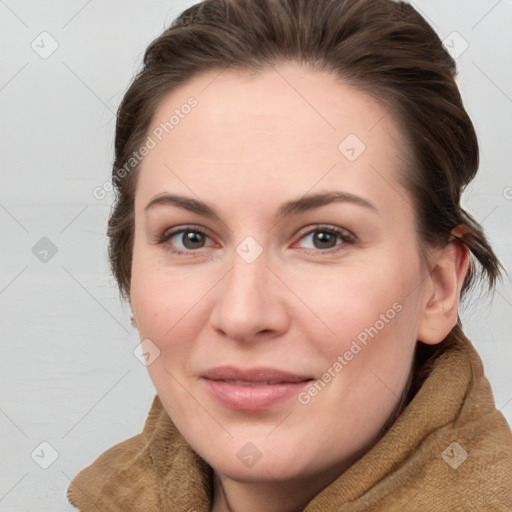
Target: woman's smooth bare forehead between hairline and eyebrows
(290, 126)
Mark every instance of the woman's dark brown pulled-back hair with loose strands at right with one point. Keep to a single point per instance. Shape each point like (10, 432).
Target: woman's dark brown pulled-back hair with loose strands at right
(382, 47)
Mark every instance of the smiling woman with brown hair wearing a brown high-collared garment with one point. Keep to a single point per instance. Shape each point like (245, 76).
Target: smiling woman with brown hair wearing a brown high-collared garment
(289, 235)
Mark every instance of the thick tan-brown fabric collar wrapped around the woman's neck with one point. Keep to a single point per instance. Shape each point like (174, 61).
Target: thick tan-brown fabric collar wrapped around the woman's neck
(449, 450)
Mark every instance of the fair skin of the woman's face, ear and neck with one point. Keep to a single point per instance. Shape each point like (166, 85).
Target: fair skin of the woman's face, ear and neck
(253, 142)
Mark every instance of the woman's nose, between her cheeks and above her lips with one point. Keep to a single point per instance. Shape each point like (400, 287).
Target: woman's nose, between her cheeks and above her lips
(250, 302)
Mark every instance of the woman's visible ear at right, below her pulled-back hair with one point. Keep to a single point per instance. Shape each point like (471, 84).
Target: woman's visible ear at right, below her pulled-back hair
(441, 304)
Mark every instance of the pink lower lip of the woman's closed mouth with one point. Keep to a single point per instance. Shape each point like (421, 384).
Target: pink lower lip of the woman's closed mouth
(252, 398)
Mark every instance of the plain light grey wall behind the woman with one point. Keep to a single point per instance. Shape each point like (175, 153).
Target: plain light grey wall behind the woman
(69, 376)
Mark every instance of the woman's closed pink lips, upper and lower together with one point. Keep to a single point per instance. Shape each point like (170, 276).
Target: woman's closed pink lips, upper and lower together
(254, 389)
